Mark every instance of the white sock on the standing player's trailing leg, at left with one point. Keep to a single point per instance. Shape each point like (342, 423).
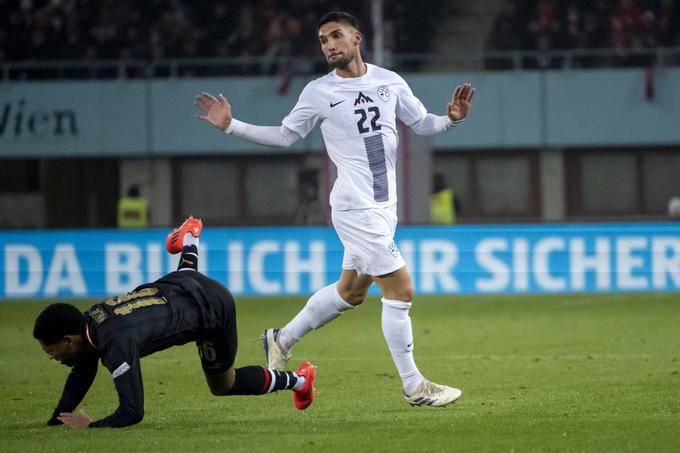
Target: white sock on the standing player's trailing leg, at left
(324, 306)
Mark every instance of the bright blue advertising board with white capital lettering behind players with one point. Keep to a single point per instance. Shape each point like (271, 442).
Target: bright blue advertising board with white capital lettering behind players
(300, 260)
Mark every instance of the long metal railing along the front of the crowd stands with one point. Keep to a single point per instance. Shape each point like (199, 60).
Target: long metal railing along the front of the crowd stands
(247, 66)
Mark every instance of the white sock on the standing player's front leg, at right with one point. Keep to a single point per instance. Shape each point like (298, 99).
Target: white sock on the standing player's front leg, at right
(396, 324)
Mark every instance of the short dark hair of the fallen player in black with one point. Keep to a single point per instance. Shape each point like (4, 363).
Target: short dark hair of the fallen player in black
(56, 321)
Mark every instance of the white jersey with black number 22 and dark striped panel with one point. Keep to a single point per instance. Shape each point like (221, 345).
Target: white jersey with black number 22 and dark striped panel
(358, 122)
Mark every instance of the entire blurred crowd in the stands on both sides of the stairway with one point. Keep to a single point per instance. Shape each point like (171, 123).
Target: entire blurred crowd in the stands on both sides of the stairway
(278, 36)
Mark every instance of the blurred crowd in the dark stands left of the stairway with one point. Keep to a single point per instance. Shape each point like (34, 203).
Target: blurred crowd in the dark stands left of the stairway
(277, 32)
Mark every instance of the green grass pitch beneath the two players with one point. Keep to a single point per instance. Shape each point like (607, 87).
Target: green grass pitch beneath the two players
(550, 373)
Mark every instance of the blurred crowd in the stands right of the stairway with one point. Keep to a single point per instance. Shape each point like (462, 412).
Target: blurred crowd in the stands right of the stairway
(625, 26)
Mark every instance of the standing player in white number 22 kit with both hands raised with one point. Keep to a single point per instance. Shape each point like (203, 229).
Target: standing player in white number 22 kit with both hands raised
(358, 105)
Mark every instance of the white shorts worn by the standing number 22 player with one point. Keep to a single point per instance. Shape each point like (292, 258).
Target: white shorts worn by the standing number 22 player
(368, 238)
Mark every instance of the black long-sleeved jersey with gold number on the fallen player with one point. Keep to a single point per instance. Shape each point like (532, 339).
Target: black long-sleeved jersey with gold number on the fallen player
(181, 307)
